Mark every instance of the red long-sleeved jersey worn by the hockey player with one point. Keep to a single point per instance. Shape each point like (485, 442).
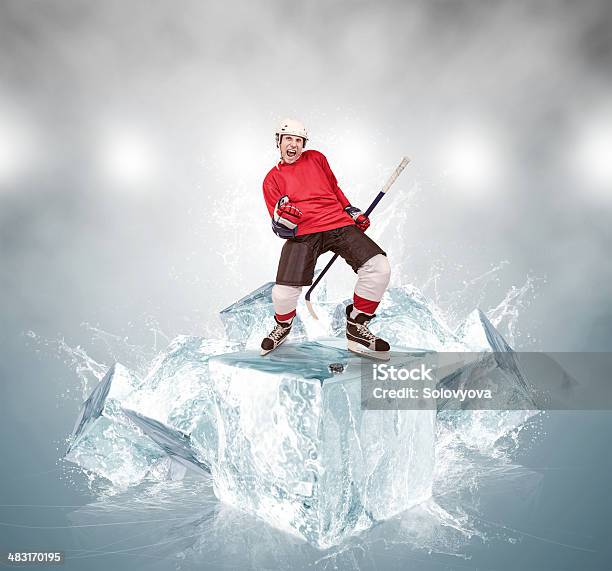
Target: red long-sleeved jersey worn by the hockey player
(311, 185)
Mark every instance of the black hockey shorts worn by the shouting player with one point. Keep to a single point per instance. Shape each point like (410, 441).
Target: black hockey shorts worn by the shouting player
(299, 255)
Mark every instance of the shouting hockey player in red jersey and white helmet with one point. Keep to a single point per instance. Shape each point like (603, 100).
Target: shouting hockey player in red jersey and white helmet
(311, 213)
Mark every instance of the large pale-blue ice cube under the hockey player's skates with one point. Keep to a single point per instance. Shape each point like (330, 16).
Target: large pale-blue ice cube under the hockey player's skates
(296, 448)
